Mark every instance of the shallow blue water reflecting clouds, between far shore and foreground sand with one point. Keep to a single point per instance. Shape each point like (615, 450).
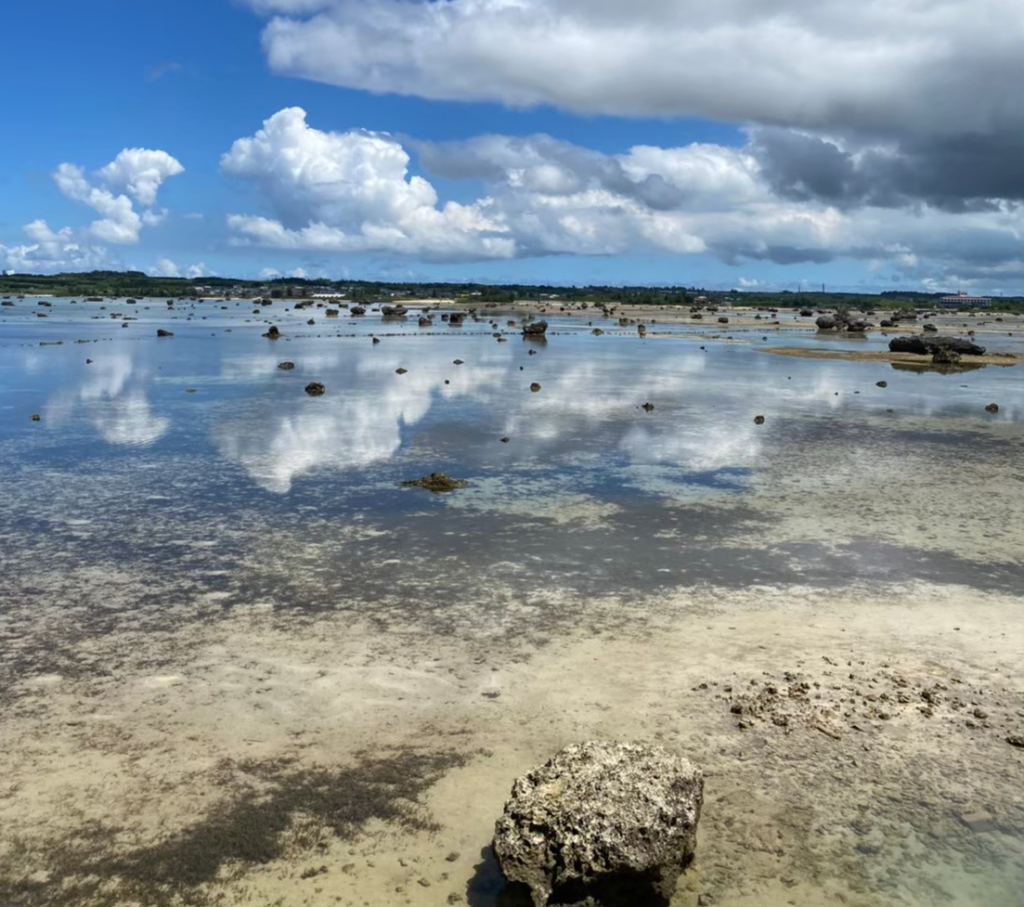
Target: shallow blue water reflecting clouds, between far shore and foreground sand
(173, 483)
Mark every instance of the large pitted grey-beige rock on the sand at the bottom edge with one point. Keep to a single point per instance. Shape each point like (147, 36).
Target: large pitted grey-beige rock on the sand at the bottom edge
(616, 823)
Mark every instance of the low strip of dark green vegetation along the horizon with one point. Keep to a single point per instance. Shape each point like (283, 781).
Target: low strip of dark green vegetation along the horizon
(139, 284)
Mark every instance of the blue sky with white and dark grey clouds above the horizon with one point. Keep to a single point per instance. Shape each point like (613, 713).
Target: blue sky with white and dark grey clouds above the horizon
(742, 144)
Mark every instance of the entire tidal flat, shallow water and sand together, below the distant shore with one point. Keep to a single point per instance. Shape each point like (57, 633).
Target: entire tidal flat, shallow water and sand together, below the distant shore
(242, 665)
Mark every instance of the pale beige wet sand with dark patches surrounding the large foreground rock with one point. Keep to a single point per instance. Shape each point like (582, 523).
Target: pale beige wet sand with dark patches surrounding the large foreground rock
(203, 768)
